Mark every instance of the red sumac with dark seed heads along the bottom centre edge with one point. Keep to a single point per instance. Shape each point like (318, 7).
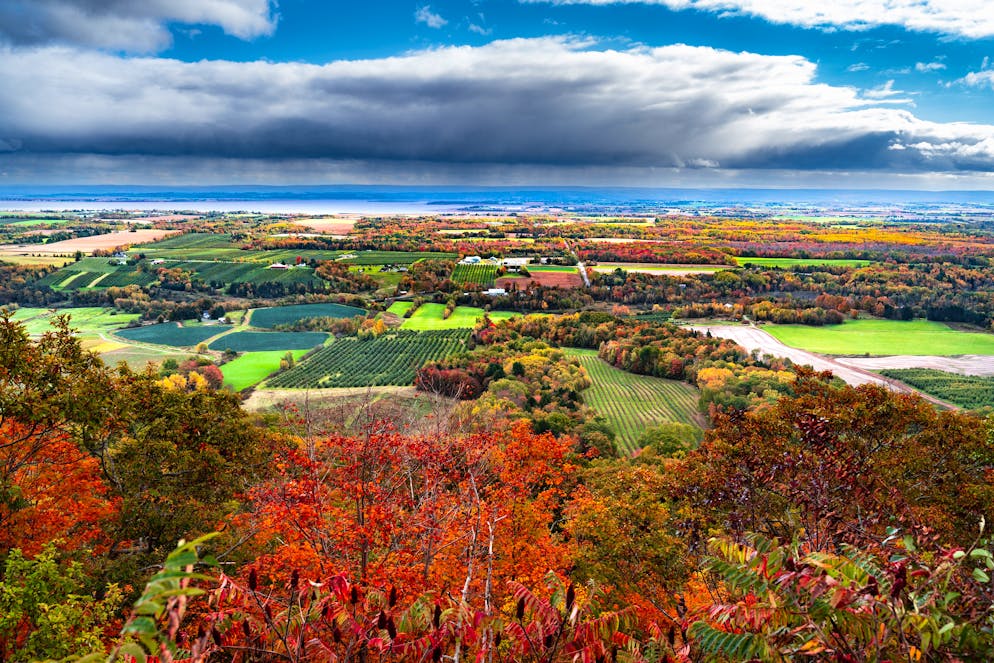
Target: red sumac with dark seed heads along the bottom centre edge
(335, 620)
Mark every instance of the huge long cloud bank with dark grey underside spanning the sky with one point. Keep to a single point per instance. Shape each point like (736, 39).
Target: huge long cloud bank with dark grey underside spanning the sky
(524, 102)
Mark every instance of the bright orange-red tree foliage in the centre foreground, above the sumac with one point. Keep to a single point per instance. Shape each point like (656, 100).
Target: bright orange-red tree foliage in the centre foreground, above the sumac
(414, 513)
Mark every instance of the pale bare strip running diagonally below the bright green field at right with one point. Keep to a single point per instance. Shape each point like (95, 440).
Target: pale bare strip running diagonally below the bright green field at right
(752, 338)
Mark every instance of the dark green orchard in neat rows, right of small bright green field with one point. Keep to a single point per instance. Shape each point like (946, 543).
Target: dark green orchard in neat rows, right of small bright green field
(389, 359)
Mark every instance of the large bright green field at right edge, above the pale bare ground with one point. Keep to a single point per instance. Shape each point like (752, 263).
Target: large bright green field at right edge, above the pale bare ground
(884, 337)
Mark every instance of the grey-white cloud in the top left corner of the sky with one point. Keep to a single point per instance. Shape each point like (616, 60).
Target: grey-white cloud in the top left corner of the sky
(129, 25)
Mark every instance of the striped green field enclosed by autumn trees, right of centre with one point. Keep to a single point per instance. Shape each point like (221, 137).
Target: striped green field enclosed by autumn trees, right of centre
(631, 403)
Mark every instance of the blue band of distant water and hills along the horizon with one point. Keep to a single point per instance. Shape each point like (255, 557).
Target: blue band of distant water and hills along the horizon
(436, 200)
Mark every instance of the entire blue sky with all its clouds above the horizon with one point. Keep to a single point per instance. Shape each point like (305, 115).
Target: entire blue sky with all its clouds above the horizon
(713, 93)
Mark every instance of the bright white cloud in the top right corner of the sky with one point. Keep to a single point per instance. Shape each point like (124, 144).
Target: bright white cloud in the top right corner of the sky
(965, 18)
